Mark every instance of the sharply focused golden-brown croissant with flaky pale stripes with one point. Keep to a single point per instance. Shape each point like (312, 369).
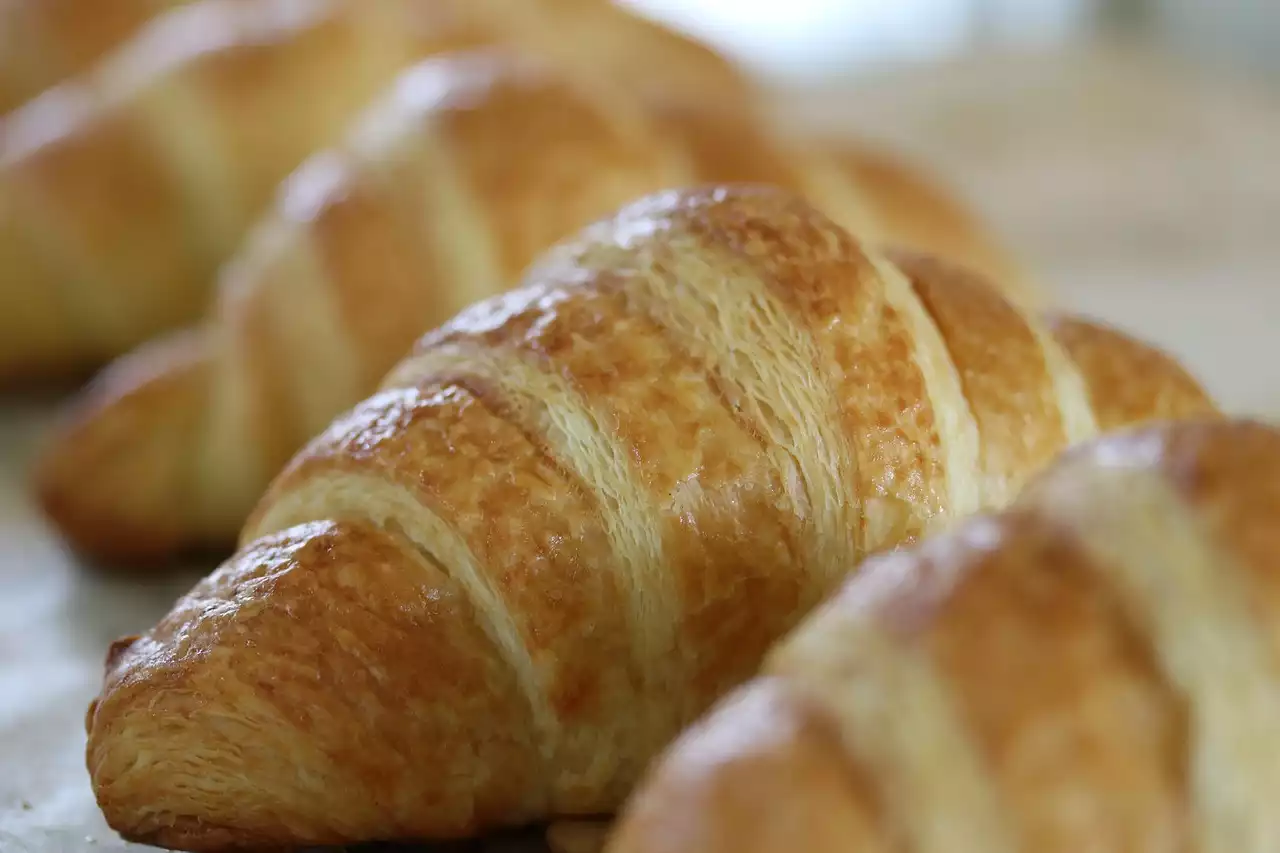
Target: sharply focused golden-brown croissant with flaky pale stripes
(578, 516)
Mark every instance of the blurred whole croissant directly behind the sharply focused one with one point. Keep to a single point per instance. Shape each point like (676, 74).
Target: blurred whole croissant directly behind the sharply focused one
(441, 197)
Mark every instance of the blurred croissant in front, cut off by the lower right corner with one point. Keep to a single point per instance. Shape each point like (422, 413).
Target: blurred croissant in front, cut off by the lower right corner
(1092, 670)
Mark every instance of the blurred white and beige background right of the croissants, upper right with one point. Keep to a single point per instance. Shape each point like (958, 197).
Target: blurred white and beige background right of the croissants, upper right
(1126, 148)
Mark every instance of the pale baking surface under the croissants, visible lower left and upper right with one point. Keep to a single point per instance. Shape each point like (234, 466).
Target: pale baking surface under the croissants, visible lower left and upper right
(1140, 194)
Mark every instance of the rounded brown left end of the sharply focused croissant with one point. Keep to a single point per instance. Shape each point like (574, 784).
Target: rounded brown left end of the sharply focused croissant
(285, 703)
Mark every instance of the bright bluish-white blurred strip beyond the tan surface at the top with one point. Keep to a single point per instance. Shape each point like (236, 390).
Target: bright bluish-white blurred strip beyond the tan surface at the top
(808, 40)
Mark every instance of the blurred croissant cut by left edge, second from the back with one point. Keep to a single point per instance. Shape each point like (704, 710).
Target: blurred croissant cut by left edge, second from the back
(124, 191)
